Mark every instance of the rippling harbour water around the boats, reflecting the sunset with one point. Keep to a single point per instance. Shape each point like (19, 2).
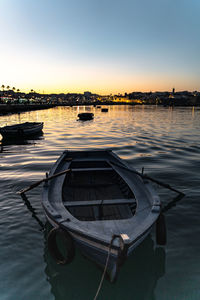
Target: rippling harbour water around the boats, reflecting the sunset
(166, 142)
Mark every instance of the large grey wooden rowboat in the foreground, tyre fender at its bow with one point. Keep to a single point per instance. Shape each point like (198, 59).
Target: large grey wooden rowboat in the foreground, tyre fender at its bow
(99, 205)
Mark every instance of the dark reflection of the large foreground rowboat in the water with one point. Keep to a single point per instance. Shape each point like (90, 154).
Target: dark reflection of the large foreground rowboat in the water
(80, 279)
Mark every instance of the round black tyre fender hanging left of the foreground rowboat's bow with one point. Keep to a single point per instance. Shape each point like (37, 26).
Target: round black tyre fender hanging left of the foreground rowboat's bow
(53, 247)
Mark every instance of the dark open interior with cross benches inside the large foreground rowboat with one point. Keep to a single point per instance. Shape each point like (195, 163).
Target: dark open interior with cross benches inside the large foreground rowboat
(97, 192)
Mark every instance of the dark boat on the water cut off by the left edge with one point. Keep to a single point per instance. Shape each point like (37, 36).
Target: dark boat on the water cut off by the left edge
(21, 130)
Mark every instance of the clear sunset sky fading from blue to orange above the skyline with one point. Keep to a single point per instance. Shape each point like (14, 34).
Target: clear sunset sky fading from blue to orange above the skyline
(112, 46)
